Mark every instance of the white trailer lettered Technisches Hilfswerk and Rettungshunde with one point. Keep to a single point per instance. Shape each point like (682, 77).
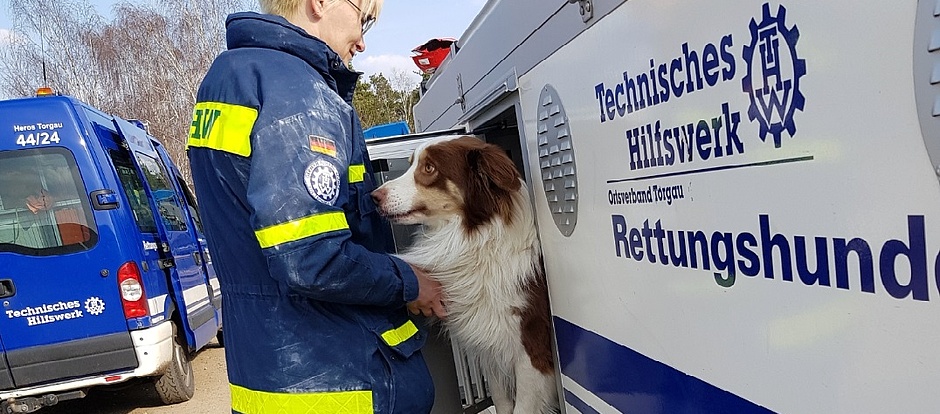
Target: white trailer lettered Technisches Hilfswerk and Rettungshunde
(738, 201)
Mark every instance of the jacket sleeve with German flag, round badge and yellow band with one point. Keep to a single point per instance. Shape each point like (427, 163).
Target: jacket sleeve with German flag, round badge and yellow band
(301, 203)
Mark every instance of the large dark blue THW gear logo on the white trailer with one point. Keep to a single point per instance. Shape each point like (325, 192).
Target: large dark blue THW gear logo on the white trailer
(773, 75)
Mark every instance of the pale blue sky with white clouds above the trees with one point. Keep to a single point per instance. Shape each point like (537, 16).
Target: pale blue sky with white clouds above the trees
(403, 25)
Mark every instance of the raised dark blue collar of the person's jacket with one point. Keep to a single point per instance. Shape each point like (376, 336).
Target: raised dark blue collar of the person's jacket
(268, 31)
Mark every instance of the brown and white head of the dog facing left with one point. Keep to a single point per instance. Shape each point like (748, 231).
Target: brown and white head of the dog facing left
(452, 177)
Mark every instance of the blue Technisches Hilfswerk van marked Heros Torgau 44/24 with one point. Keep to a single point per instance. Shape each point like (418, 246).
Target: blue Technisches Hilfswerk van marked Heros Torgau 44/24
(105, 275)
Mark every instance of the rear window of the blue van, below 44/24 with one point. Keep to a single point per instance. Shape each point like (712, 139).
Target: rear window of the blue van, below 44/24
(43, 207)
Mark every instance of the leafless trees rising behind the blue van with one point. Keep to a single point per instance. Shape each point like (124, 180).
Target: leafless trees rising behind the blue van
(145, 64)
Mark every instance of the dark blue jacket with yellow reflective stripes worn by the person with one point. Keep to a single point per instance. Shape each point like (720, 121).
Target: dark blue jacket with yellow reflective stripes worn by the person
(314, 316)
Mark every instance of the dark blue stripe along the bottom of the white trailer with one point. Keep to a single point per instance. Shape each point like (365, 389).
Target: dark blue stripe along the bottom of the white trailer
(632, 382)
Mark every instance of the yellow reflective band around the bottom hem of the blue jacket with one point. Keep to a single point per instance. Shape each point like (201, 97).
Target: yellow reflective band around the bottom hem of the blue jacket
(260, 402)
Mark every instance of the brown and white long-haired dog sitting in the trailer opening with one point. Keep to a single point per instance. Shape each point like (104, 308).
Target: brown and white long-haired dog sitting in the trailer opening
(479, 241)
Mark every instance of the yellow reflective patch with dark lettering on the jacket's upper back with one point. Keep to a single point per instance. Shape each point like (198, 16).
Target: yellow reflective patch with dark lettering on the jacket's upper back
(222, 126)
